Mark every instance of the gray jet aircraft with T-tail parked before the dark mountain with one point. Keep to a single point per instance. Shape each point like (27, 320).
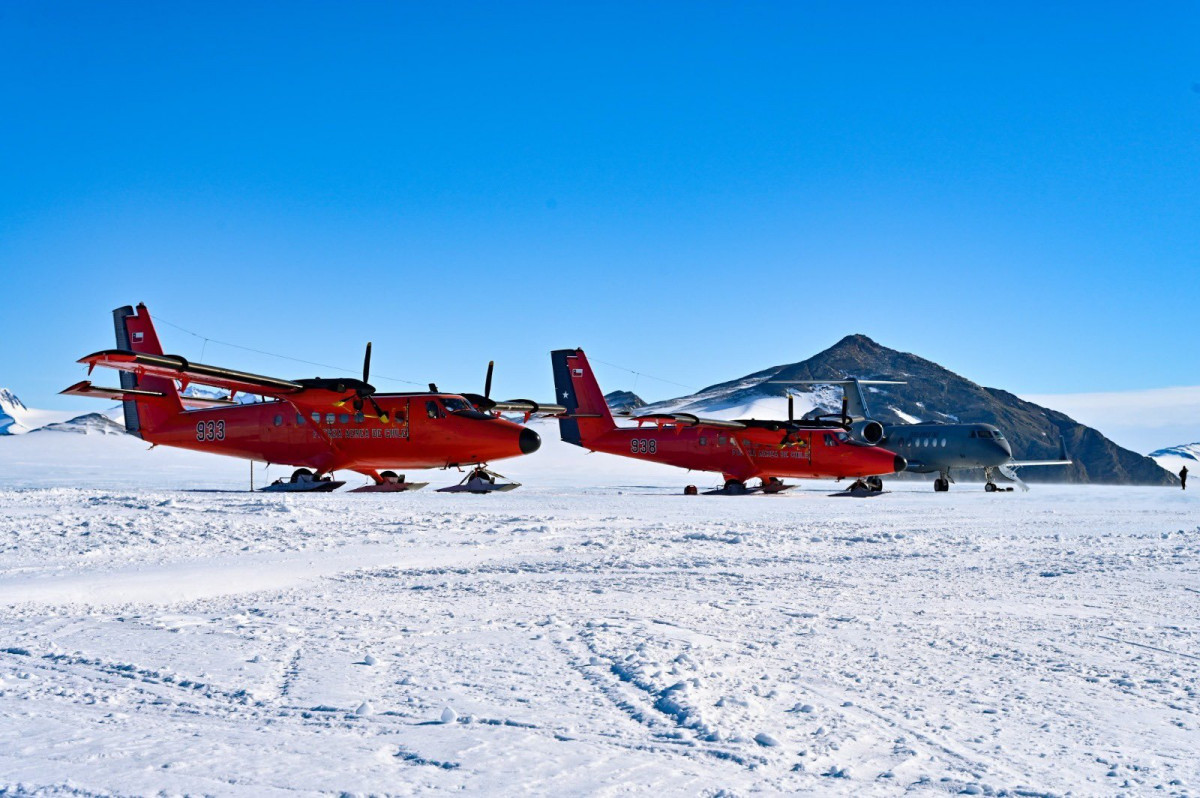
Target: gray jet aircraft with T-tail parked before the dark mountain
(934, 448)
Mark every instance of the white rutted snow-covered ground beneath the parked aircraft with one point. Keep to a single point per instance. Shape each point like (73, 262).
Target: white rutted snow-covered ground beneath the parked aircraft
(164, 631)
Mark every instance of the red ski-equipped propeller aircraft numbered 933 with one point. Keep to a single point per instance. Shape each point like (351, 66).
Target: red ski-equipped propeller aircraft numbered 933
(323, 425)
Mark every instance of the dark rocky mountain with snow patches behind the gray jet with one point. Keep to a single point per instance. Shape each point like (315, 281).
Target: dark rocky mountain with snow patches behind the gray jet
(931, 394)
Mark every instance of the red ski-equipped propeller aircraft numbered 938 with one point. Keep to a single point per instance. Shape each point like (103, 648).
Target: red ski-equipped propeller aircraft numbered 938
(740, 451)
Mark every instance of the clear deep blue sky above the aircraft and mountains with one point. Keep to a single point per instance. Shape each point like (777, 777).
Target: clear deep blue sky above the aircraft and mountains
(695, 191)
